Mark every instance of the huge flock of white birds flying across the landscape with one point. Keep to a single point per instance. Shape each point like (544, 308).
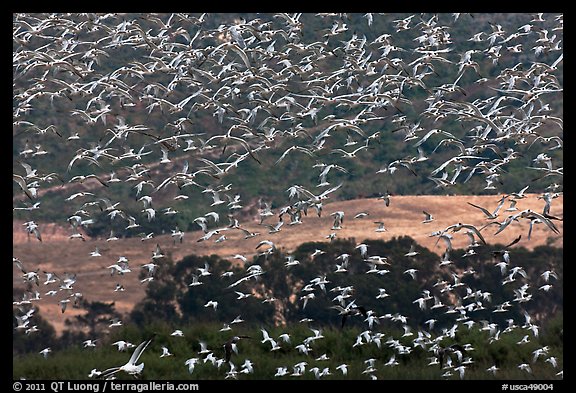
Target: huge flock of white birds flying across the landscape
(270, 84)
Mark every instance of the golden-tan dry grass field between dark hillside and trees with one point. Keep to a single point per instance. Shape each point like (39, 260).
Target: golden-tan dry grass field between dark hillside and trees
(57, 253)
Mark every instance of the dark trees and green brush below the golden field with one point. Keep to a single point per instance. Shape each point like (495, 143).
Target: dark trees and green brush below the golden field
(172, 304)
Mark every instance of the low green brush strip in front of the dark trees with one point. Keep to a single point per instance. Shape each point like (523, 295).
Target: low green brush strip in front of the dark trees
(73, 362)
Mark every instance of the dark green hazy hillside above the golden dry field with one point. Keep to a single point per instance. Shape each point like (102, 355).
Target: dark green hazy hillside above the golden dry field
(395, 135)
